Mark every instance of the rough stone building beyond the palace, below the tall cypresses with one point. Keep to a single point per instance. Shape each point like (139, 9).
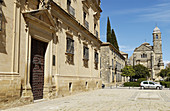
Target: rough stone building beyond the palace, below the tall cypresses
(112, 61)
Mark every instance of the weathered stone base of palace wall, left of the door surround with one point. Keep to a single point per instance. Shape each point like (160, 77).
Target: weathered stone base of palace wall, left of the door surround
(10, 90)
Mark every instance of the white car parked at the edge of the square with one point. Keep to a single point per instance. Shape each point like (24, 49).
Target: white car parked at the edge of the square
(150, 85)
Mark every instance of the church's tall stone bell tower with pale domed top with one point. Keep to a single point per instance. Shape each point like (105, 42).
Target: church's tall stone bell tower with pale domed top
(157, 48)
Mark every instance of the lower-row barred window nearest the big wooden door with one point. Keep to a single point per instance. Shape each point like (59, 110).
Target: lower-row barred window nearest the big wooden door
(70, 50)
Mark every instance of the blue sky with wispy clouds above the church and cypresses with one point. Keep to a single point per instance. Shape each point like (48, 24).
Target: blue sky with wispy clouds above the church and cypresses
(134, 21)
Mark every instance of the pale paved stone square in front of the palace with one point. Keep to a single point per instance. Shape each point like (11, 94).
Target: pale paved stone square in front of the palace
(106, 100)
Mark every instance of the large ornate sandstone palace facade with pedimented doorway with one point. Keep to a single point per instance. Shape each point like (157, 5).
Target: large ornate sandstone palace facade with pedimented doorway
(48, 49)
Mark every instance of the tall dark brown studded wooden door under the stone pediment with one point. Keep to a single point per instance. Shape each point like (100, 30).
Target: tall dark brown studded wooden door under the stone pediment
(38, 50)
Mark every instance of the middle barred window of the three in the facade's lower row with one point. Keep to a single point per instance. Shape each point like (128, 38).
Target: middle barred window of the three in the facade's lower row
(85, 55)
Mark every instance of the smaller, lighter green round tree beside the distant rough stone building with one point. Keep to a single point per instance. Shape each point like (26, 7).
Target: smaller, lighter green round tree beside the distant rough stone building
(128, 71)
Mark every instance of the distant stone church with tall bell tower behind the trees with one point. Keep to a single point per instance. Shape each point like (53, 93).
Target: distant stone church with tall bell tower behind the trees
(150, 56)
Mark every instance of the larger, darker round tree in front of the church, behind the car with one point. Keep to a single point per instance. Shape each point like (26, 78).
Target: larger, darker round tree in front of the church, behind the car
(141, 71)
